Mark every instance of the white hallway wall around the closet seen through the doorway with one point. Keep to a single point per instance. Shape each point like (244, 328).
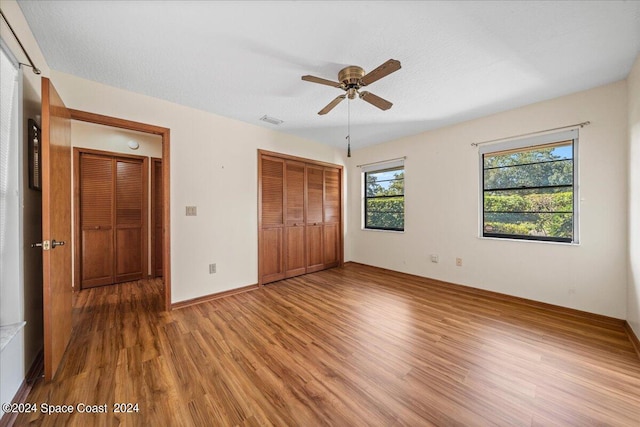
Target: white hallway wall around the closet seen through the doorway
(115, 140)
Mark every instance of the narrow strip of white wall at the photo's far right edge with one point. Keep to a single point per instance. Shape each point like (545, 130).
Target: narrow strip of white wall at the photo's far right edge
(633, 295)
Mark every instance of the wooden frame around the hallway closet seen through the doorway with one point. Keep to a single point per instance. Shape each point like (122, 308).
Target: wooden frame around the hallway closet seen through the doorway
(77, 237)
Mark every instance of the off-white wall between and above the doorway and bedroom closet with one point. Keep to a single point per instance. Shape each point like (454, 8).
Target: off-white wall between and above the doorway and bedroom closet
(214, 167)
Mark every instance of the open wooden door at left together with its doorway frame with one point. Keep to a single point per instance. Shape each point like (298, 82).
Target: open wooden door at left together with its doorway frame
(56, 218)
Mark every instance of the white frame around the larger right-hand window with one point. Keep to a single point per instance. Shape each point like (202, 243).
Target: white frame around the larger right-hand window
(526, 144)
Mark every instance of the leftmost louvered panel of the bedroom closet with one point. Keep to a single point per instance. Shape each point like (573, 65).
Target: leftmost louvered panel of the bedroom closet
(272, 219)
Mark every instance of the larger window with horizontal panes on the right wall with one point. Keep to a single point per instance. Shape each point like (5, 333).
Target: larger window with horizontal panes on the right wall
(529, 188)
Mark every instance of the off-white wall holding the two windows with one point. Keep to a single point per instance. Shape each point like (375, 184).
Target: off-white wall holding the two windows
(442, 208)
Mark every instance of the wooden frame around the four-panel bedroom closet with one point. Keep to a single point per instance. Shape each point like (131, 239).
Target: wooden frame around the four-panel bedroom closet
(285, 157)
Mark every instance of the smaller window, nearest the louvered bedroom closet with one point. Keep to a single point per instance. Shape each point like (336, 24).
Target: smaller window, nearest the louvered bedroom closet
(384, 196)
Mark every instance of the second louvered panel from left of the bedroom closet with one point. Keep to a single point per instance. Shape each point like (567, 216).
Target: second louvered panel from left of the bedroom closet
(295, 224)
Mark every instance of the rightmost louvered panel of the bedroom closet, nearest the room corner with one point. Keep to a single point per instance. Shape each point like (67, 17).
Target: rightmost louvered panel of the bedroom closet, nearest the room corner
(332, 228)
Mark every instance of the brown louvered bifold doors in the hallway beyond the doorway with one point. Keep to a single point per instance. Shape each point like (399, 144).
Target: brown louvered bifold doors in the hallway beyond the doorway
(111, 217)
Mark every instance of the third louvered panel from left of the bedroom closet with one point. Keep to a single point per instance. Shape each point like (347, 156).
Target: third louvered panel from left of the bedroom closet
(314, 229)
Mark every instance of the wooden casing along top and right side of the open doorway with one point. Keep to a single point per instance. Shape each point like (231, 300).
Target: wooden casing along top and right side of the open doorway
(164, 133)
